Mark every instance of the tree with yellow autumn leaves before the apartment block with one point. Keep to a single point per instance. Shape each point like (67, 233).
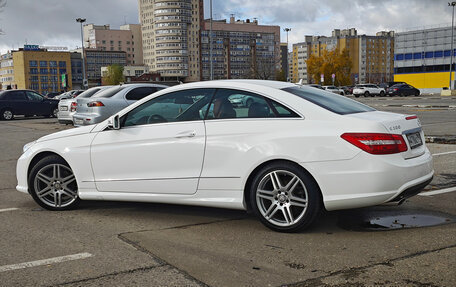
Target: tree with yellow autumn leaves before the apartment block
(330, 62)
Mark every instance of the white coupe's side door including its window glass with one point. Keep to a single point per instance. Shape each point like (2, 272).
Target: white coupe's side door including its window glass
(158, 149)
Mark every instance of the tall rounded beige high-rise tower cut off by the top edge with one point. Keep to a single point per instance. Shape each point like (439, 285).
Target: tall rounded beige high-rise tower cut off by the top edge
(171, 37)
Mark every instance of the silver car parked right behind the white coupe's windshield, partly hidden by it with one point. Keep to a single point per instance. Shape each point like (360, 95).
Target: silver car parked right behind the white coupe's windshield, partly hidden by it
(108, 102)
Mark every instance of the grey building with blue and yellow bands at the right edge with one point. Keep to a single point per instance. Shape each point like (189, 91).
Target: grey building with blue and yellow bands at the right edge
(422, 58)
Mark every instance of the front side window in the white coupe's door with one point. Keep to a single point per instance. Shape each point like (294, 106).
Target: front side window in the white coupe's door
(188, 105)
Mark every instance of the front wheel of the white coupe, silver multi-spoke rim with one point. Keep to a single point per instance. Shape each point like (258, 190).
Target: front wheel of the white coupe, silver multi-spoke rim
(52, 184)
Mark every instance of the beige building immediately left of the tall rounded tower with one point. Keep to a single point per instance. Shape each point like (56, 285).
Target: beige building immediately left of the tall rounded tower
(127, 39)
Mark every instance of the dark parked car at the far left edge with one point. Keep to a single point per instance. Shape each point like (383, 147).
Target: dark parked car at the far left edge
(27, 103)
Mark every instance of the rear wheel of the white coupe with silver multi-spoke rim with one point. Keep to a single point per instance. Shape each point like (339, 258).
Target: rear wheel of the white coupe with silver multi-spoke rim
(291, 203)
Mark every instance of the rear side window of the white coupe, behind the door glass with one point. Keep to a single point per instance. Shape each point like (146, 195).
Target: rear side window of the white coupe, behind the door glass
(231, 104)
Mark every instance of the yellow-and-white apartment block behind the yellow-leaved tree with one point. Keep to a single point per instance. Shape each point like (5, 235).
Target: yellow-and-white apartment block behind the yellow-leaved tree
(371, 56)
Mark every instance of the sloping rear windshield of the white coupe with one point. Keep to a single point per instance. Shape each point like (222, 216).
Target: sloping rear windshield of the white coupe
(330, 101)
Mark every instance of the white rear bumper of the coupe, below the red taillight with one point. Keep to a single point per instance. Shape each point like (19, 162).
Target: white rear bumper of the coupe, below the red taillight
(372, 179)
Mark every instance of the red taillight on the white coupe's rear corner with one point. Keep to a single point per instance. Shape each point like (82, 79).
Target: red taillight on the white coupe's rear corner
(377, 143)
